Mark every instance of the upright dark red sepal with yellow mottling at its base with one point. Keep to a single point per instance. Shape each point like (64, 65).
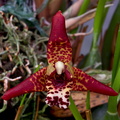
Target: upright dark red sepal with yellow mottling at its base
(59, 47)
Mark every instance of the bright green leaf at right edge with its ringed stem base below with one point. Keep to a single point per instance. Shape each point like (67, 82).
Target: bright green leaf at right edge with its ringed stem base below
(112, 103)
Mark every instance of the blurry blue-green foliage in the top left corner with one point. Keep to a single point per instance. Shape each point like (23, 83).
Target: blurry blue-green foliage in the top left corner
(23, 12)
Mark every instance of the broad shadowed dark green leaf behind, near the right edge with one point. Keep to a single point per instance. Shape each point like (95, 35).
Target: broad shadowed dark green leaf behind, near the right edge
(108, 39)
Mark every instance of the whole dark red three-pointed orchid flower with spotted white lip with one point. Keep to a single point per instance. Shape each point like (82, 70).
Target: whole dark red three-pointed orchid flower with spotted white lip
(59, 77)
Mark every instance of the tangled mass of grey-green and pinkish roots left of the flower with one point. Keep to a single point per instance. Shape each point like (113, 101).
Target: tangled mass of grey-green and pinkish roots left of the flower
(22, 50)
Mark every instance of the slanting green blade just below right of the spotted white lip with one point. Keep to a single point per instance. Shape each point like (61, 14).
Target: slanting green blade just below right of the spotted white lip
(74, 110)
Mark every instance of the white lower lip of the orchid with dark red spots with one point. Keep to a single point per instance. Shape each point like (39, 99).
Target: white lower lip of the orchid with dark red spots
(59, 97)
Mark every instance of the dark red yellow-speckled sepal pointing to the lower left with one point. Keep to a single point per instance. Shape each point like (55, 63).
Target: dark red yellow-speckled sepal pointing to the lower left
(35, 82)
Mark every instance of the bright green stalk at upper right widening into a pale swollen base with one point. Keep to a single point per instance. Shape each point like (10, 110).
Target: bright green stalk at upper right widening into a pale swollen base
(94, 56)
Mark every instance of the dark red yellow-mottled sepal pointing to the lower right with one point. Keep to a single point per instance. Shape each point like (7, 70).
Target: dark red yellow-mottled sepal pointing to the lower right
(83, 81)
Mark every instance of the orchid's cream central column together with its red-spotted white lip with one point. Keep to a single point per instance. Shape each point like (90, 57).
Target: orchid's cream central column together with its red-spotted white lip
(59, 84)
